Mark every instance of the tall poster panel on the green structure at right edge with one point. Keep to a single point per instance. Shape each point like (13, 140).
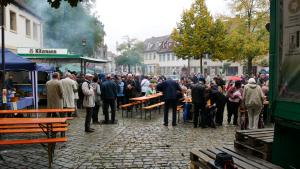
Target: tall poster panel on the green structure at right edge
(289, 50)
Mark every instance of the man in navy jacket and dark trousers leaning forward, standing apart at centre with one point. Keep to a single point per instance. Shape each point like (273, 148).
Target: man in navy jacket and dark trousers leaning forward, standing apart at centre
(169, 89)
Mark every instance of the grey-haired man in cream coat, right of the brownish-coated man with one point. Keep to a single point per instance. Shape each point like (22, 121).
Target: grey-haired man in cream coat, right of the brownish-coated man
(69, 88)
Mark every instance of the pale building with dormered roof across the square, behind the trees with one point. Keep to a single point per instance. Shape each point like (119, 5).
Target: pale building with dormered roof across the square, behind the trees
(160, 59)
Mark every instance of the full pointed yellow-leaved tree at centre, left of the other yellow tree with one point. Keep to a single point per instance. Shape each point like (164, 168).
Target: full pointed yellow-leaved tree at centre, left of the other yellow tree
(198, 34)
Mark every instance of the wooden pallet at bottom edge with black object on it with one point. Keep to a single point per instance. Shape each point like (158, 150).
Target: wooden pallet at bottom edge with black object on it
(204, 158)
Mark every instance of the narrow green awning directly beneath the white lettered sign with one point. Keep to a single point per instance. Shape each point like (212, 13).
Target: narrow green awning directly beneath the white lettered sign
(51, 56)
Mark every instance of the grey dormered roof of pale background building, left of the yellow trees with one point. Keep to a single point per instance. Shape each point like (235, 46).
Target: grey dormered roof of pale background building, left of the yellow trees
(160, 44)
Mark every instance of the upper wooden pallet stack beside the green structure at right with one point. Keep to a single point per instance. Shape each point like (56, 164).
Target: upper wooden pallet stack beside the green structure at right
(256, 142)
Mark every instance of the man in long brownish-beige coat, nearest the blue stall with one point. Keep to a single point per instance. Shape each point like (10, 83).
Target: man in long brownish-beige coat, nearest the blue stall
(54, 93)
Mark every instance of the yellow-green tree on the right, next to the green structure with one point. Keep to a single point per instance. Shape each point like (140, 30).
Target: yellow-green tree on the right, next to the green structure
(249, 39)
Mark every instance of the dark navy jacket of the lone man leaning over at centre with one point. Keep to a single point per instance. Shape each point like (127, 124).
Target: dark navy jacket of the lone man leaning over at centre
(169, 89)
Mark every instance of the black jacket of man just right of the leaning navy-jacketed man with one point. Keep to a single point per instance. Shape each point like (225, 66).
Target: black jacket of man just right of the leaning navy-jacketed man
(198, 94)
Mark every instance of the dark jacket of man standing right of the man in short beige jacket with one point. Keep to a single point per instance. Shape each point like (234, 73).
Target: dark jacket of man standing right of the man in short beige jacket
(108, 90)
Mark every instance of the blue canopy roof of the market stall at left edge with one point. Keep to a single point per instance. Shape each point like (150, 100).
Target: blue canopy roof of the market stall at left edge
(15, 62)
